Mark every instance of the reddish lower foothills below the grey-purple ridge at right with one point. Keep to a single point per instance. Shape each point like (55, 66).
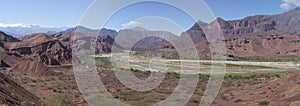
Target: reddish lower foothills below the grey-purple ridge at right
(273, 45)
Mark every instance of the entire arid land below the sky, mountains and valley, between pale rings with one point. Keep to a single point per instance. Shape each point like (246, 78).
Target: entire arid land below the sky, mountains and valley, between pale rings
(262, 68)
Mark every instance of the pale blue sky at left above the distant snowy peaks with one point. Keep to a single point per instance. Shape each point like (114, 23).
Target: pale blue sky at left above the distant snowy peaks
(56, 13)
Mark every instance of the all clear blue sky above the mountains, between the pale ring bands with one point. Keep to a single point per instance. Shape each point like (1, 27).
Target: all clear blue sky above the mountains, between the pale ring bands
(68, 13)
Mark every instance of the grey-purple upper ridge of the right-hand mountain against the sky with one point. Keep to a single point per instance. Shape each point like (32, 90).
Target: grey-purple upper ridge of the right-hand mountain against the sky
(288, 22)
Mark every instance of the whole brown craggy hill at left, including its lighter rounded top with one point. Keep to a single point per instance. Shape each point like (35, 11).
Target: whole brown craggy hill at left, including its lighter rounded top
(43, 48)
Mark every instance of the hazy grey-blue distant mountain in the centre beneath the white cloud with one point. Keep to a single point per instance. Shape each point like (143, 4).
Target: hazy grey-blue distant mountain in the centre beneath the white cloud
(144, 39)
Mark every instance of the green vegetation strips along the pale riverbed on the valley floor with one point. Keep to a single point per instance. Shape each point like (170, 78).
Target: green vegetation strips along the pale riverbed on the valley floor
(234, 71)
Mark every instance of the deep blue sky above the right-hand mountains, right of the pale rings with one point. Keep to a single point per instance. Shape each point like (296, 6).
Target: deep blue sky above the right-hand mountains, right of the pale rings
(237, 9)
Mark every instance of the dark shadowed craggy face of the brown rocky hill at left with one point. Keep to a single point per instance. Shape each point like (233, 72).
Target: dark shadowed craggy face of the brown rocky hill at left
(50, 52)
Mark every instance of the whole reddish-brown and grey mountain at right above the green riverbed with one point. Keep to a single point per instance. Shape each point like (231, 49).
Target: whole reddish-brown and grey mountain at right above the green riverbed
(253, 36)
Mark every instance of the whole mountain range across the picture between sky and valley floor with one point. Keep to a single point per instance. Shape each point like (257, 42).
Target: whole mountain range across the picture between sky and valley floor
(253, 36)
